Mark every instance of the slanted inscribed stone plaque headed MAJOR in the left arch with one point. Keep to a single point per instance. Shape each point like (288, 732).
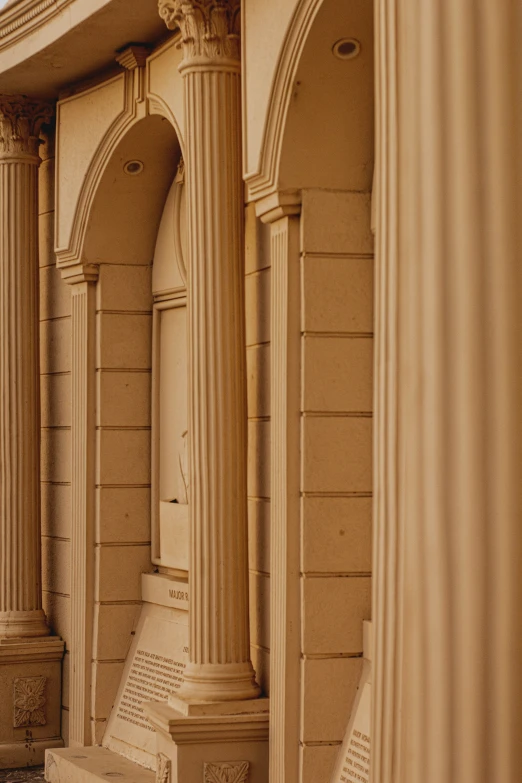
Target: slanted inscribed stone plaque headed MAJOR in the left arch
(154, 670)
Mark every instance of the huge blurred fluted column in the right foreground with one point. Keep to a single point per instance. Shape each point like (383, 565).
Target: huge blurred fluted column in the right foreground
(448, 535)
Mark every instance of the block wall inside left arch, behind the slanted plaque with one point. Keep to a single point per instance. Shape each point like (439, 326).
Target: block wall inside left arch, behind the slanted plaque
(122, 516)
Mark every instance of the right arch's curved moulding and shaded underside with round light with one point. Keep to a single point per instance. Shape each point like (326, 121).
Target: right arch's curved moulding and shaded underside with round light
(305, 128)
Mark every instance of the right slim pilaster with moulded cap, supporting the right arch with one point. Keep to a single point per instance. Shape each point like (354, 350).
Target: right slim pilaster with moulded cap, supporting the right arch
(281, 211)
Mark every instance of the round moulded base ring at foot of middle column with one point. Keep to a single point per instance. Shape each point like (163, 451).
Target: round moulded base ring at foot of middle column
(219, 682)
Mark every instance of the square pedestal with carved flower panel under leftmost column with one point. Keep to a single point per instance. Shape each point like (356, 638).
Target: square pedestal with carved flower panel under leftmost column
(30, 707)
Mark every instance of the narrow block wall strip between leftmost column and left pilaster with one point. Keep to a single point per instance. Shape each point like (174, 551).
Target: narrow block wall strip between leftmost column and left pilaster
(55, 380)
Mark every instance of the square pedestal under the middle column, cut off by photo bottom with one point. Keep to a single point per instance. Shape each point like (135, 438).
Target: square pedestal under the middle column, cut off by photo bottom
(227, 741)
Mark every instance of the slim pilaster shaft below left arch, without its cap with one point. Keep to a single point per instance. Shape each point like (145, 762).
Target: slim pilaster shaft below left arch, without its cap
(82, 489)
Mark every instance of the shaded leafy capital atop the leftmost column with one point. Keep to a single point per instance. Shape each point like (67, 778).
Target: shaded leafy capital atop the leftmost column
(21, 119)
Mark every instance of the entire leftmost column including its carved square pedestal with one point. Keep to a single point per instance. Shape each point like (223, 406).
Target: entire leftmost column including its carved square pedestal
(30, 658)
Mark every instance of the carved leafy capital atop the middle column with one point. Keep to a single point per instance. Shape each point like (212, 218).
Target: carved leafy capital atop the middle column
(209, 28)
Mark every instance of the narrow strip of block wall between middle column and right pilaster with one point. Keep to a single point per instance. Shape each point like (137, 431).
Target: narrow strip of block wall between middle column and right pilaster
(257, 301)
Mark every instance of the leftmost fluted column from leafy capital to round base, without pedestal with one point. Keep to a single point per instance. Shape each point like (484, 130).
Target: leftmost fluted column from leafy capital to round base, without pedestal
(21, 613)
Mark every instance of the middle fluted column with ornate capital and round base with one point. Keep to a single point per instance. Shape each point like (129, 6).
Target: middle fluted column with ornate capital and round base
(219, 667)
